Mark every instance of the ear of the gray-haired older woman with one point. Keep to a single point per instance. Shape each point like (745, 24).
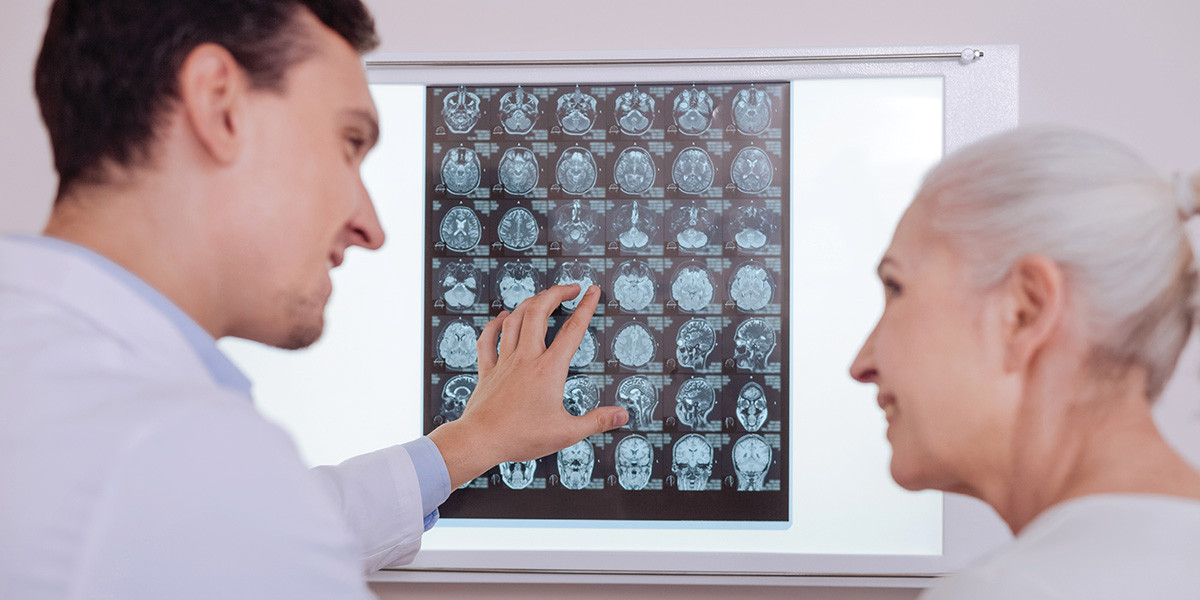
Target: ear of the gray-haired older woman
(1035, 302)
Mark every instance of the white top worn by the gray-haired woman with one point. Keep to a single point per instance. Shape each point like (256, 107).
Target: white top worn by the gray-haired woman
(1097, 548)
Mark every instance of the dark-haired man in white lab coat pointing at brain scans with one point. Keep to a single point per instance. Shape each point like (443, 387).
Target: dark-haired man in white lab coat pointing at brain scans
(209, 157)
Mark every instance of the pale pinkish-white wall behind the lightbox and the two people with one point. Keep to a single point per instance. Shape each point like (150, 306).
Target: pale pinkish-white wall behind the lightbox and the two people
(1119, 68)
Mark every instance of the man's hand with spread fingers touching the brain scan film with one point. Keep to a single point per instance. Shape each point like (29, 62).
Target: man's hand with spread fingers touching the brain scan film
(517, 412)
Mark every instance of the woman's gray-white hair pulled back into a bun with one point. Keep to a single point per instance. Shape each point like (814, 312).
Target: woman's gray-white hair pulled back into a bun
(1101, 213)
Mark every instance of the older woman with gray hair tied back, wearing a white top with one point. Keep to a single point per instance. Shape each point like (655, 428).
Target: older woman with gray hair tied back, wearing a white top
(1039, 293)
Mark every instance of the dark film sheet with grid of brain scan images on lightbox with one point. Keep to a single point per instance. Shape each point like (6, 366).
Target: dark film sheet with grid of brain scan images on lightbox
(674, 200)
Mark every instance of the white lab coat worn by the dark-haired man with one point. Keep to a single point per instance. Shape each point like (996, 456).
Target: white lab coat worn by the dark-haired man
(127, 472)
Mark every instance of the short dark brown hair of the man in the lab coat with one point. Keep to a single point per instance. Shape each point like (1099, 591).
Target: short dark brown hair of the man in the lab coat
(109, 70)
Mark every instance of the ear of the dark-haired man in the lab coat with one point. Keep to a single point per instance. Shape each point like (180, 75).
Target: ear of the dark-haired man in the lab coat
(213, 89)
